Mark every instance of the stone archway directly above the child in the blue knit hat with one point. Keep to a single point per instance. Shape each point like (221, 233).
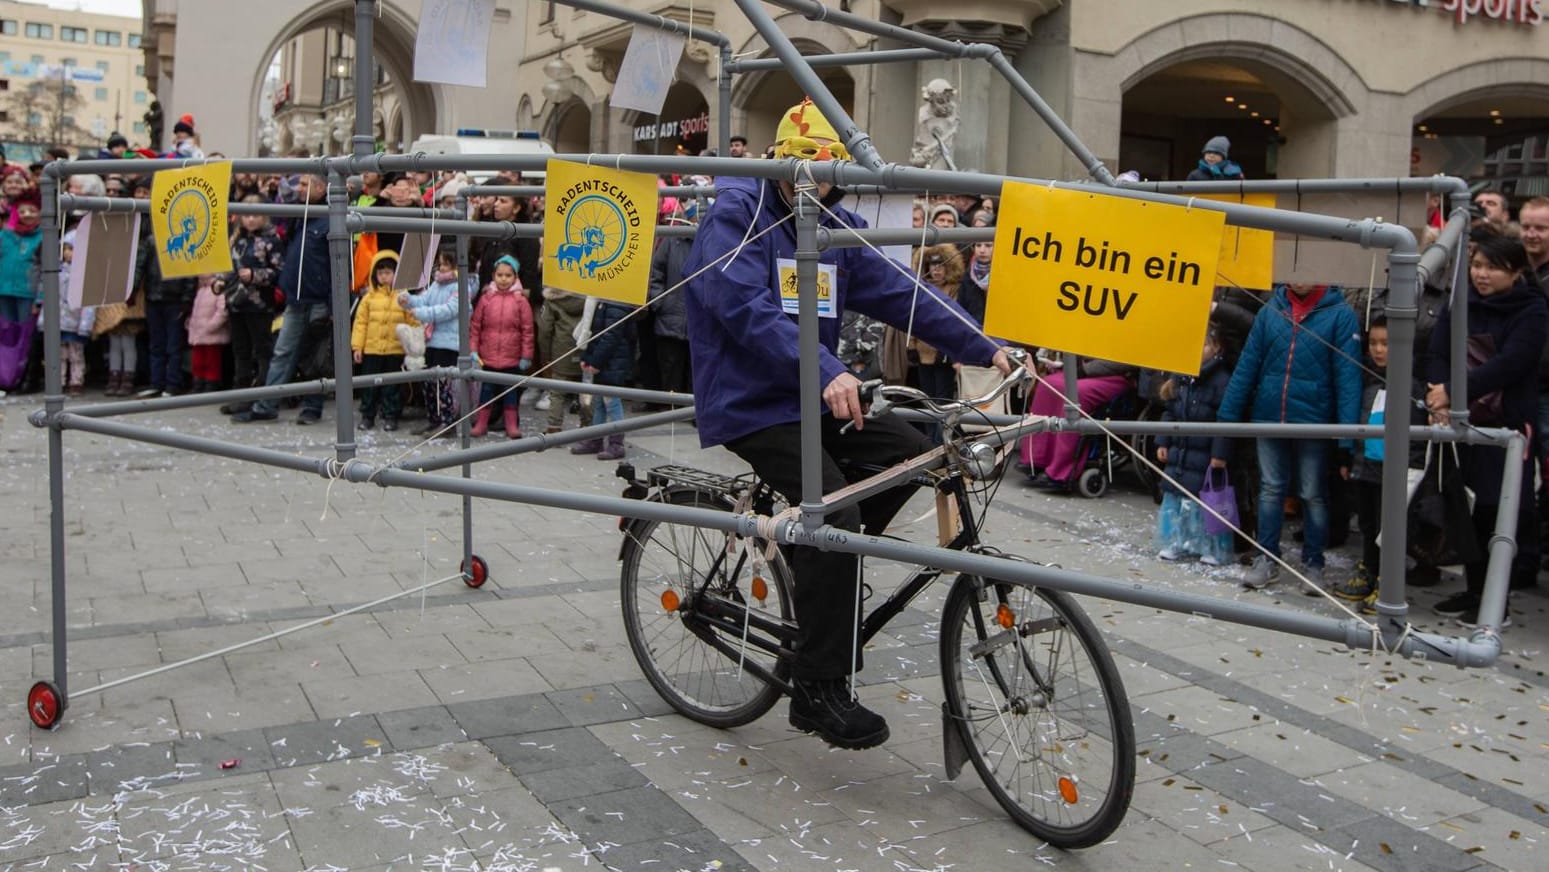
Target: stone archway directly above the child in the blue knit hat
(1310, 88)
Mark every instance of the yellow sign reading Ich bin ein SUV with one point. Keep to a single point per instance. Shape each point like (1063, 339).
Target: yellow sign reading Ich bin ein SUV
(1104, 276)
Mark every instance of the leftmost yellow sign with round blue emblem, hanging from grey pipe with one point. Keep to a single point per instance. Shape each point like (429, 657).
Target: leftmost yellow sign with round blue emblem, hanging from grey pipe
(188, 219)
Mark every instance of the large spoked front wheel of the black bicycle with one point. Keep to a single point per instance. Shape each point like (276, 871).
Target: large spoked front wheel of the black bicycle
(1040, 707)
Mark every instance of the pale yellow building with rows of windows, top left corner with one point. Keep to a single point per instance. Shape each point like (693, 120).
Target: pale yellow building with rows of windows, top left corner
(69, 80)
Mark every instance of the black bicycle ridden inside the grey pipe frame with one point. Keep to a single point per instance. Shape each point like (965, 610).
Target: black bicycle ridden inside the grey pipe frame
(1032, 696)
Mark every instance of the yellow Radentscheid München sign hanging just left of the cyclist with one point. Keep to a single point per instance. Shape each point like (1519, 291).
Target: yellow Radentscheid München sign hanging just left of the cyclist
(599, 232)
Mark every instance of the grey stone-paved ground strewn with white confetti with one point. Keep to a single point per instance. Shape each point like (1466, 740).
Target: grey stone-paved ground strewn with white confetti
(510, 729)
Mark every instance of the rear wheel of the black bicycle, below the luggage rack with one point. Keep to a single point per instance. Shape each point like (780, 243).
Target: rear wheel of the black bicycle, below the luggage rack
(689, 620)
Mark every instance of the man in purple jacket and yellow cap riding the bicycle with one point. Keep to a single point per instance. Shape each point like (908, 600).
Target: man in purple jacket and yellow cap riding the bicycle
(746, 360)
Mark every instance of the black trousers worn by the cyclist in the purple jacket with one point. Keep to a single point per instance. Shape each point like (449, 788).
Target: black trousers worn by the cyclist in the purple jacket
(826, 582)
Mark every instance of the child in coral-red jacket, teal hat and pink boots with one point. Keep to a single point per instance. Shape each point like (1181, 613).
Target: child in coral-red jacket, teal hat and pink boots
(503, 335)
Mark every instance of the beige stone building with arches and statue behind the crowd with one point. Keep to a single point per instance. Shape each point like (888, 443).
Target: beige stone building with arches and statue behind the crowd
(1302, 88)
